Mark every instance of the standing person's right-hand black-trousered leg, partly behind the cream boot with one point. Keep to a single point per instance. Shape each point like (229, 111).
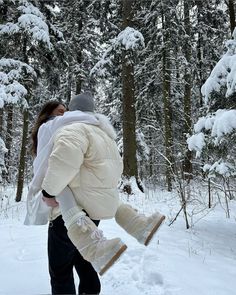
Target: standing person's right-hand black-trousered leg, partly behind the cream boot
(89, 280)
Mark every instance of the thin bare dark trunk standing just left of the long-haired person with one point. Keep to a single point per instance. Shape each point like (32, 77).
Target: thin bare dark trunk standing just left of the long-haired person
(21, 168)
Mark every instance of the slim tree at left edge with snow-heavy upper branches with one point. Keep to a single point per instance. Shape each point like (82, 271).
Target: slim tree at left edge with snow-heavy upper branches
(27, 25)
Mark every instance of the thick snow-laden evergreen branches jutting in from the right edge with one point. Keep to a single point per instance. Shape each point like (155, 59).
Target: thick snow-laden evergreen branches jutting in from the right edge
(215, 134)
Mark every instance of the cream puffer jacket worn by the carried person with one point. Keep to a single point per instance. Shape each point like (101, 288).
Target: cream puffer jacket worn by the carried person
(86, 158)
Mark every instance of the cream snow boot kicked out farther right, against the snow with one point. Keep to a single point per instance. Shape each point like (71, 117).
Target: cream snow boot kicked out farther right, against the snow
(138, 225)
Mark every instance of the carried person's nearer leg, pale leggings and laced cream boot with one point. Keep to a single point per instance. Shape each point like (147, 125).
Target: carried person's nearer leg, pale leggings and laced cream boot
(87, 238)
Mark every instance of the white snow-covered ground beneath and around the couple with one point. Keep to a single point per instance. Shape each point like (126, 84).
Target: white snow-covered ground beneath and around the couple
(199, 261)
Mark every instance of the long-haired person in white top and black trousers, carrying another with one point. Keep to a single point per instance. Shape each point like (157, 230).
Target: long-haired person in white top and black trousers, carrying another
(63, 257)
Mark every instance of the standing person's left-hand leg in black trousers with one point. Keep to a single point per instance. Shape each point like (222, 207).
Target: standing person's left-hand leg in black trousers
(61, 253)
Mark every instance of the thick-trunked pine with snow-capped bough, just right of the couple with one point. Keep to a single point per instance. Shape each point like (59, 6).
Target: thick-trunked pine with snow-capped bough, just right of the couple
(121, 55)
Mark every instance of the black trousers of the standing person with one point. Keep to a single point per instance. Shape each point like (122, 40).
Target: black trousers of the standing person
(62, 257)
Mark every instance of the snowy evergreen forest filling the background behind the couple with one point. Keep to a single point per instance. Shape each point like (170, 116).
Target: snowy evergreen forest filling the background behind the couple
(163, 71)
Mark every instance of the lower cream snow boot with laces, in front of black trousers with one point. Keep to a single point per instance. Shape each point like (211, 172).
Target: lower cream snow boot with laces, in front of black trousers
(93, 246)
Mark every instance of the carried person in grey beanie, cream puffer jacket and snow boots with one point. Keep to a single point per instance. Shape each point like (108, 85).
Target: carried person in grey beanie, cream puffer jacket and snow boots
(83, 171)
